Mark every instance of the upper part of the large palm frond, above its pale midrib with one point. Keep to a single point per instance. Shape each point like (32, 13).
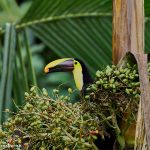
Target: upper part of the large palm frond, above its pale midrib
(62, 9)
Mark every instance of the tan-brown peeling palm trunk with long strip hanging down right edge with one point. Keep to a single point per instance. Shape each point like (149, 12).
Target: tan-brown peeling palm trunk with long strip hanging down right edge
(128, 36)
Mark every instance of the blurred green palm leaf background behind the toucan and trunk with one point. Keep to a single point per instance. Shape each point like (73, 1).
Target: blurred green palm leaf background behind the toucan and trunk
(35, 32)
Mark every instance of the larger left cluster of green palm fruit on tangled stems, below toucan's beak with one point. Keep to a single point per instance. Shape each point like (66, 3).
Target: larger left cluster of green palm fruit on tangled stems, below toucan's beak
(45, 123)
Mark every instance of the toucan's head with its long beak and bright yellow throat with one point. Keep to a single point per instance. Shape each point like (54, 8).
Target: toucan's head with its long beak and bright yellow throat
(65, 65)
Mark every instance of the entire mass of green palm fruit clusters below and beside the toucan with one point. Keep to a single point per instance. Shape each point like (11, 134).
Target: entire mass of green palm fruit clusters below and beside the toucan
(44, 121)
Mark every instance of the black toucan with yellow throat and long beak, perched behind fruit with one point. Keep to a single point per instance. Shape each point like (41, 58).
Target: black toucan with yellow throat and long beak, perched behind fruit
(81, 75)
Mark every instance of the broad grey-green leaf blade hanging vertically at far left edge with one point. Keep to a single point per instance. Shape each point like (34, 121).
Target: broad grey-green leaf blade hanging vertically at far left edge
(7, 70)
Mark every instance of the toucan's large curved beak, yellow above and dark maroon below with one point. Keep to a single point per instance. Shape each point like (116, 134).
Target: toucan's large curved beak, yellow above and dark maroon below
(60, 65)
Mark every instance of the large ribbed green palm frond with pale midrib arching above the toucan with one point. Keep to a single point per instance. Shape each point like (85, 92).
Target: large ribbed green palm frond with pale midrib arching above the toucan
(76, 28)
